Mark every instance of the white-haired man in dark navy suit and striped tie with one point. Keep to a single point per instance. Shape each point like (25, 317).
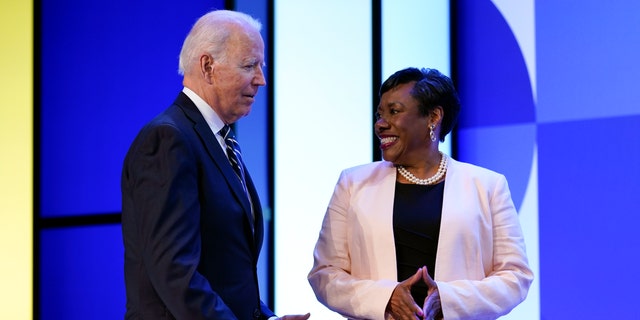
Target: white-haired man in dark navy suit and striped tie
(192, 225)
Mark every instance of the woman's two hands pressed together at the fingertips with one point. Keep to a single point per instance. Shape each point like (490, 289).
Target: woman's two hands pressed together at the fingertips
(401, 306)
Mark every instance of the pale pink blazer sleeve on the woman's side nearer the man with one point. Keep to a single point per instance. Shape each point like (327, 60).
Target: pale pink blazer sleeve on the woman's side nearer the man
(331, 276)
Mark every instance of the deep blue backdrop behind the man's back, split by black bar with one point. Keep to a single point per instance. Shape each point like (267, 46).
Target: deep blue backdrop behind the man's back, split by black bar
(107, 68)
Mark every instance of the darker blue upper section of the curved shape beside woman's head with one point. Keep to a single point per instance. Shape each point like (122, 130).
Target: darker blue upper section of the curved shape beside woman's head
(493, 79)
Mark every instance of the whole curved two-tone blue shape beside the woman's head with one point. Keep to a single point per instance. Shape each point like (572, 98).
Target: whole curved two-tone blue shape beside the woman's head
(496, 96)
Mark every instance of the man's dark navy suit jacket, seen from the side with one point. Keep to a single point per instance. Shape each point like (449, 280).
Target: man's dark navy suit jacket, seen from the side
(190, 252)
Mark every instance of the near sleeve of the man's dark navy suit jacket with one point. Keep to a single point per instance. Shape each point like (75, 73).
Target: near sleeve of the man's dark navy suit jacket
(163, 185)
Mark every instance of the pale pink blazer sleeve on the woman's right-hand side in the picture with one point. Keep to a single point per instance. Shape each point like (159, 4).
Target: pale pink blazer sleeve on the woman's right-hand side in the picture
(506, 277)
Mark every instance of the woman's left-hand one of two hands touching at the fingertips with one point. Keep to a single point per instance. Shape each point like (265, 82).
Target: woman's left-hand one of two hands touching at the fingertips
(401, 305)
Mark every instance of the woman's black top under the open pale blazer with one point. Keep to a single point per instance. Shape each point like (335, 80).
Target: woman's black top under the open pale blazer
(417, 211)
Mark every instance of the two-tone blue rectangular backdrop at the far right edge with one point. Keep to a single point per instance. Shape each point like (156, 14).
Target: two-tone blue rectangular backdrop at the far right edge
(589, 152)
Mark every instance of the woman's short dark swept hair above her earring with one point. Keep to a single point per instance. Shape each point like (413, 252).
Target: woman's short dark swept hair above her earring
(431, 89)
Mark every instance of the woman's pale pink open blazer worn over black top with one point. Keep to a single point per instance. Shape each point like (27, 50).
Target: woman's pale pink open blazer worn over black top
(481, 264)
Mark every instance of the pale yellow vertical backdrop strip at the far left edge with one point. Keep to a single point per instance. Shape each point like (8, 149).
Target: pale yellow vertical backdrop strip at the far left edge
(16, 159)
